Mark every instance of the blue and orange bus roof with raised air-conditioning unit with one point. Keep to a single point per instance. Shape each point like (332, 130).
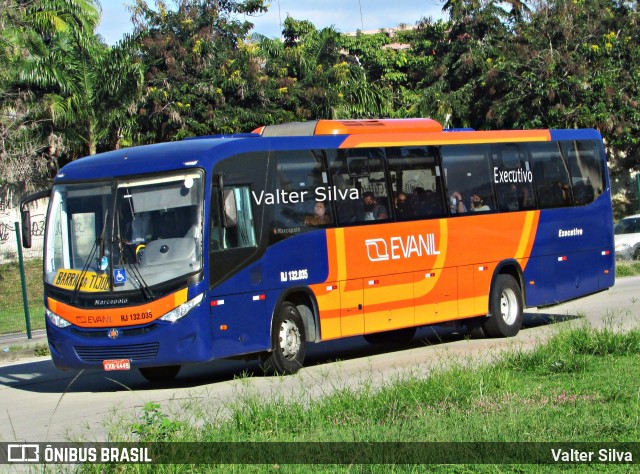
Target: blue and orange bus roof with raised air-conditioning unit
(203, 151)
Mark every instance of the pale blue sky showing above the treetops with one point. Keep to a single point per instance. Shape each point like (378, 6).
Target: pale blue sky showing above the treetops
(344, 15)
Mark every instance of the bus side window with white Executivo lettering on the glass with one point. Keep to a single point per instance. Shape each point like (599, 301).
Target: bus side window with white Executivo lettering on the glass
(512, 177)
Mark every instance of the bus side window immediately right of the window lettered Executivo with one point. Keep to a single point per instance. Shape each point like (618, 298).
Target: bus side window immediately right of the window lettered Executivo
(550, 175)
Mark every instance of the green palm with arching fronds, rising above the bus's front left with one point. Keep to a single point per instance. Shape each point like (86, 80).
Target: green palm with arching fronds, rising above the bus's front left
(85, 85)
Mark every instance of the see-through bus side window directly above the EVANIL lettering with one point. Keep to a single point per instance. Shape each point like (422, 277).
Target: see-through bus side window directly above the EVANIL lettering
(416, 181)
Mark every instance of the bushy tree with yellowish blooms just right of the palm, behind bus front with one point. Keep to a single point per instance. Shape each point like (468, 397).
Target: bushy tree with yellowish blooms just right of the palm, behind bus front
(202, 77)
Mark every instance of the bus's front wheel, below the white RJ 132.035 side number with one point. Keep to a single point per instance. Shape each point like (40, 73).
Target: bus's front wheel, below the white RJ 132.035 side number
(289, 342)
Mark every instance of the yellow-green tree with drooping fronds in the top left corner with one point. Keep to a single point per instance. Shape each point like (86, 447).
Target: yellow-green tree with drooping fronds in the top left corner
(33, 41)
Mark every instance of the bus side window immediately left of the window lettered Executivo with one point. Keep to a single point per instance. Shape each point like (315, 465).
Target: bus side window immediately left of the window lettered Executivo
(469, 178)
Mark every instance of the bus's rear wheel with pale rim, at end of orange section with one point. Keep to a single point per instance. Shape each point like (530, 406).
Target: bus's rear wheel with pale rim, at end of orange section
(505, 308)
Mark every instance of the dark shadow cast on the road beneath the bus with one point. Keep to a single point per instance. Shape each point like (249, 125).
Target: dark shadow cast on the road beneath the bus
(43, 377)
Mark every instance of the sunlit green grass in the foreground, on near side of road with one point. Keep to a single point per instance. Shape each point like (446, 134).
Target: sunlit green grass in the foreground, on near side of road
(582, 386)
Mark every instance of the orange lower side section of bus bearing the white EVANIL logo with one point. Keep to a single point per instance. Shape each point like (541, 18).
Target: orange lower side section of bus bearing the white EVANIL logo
(417, 272)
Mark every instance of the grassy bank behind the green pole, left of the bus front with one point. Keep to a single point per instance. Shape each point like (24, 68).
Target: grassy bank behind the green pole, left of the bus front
(12, 317)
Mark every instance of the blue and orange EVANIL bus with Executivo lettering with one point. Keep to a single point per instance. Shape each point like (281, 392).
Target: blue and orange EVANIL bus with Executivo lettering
(255, 245)
